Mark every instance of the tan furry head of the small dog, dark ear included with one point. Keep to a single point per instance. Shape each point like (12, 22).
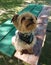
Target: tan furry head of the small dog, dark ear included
(25, 22)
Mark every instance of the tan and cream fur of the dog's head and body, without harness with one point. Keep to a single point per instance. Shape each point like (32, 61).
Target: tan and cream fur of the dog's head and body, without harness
(22, 27)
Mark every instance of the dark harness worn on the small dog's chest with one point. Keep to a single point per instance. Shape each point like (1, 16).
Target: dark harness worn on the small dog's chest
(28, 38)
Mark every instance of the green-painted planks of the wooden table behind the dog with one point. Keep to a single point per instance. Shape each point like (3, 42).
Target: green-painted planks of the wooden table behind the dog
(7, 30)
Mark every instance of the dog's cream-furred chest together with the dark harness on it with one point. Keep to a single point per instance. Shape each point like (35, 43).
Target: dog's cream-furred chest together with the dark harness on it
(25, 41)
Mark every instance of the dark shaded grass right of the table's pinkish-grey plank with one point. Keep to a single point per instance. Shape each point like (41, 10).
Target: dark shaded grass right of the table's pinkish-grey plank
(45, 58)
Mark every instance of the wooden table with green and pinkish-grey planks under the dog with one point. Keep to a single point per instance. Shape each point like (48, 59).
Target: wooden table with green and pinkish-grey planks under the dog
(7, 31)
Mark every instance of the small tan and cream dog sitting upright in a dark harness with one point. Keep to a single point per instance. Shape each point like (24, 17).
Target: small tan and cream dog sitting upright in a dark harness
(25, 24)
